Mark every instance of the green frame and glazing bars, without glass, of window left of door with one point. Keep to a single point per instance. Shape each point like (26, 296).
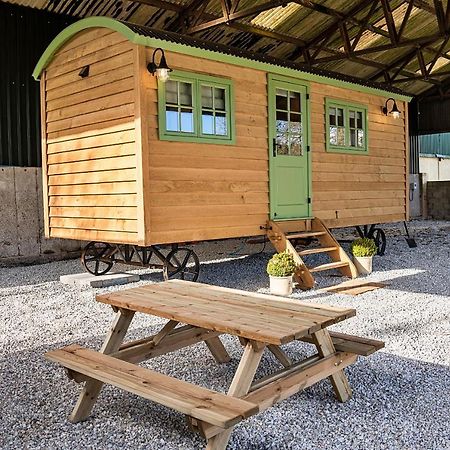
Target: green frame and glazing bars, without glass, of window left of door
(194, 132)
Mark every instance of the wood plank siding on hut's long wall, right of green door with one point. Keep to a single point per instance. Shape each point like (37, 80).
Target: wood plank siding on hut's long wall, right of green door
(356, 189)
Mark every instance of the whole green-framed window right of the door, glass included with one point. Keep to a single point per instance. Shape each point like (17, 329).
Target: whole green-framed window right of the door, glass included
(346, 127)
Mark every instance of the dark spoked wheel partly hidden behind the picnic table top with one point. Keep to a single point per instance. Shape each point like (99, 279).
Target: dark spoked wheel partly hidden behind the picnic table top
(181, 264)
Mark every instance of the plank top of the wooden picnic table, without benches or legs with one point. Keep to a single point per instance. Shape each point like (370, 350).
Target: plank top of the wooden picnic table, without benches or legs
(260, 317)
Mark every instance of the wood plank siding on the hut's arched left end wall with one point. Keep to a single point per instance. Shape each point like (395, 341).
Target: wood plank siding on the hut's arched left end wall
(91, 140)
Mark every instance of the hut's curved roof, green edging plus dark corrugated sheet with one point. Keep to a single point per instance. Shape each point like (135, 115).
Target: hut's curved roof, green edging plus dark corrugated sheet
(149, 37)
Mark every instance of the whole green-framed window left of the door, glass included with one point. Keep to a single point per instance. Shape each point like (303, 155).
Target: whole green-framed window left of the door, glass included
(196, 108)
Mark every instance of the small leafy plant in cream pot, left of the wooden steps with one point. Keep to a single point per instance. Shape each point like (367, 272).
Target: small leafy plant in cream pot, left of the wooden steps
(280, 268)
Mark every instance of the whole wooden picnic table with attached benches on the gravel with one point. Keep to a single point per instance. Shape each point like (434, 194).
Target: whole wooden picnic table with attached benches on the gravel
(198, 312)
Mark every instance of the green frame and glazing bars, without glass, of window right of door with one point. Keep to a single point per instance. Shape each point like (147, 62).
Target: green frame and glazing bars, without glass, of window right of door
(347, 107)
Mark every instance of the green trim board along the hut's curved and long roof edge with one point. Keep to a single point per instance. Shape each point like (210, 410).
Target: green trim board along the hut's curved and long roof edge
(136, 38)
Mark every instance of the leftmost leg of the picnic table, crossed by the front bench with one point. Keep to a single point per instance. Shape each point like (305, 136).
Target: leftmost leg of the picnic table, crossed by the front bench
(92, 388)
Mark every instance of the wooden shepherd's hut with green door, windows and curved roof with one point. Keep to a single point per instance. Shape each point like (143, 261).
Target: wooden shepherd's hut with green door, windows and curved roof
(232, 140)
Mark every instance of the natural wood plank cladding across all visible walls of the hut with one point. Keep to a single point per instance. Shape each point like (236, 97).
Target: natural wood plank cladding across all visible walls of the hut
(110, 178)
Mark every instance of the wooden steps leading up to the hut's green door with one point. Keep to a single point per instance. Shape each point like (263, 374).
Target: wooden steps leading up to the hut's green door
(283, 235)
